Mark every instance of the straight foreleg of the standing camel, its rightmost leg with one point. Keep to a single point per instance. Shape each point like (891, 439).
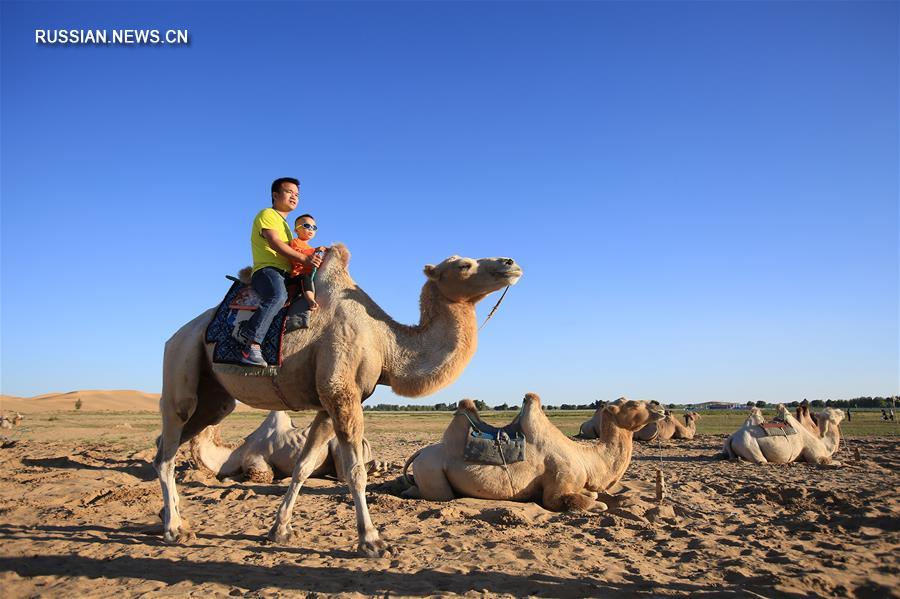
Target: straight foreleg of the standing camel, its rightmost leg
(348, 426)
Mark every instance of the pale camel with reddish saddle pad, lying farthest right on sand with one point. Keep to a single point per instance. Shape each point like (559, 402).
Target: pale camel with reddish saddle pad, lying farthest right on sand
(751, 443)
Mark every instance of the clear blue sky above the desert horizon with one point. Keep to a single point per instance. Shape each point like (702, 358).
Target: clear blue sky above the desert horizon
(703, 195)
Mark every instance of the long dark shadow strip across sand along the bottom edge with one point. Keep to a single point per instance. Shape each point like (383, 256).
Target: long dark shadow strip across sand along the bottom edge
(295, 577)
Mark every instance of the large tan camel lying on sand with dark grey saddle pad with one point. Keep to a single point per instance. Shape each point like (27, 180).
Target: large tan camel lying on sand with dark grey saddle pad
(559, 473)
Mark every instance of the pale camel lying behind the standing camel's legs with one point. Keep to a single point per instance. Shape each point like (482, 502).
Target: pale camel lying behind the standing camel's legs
(268, 452)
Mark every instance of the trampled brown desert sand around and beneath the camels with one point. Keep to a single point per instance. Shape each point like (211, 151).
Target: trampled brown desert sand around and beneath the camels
(79, 502)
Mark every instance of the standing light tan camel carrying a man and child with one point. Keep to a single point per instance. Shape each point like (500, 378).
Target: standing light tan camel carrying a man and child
(352, 345)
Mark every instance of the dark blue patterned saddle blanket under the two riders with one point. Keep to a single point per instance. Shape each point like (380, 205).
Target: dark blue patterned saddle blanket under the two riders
(238, 306)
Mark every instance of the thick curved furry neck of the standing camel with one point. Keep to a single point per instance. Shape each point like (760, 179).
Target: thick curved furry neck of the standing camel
(430, 355)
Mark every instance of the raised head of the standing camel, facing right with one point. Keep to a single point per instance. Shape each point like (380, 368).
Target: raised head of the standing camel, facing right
(467, 280)
